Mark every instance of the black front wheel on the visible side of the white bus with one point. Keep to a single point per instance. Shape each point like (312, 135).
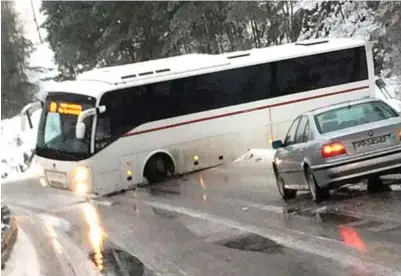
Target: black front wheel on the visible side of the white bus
(158, 168)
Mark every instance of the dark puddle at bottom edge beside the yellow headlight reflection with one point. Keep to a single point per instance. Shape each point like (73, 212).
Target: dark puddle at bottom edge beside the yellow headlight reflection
(117, 262)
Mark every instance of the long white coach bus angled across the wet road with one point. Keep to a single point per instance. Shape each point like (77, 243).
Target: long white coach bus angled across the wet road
(115, 127)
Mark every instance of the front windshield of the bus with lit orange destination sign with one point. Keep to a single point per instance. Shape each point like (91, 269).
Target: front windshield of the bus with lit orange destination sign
(56, 134)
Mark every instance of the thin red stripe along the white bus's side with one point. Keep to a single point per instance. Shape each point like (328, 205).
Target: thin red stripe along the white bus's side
(243, 111)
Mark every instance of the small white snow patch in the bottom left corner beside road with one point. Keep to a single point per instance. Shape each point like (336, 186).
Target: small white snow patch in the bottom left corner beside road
(23, 250)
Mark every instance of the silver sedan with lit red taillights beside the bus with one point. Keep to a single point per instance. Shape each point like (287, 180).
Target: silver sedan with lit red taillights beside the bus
(340, 144)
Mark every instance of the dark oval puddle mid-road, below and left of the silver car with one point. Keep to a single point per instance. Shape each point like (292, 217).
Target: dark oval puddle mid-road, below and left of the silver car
(252, 242)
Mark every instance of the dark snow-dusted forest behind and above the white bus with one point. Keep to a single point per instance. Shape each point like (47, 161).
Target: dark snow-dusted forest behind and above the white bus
(84, 35)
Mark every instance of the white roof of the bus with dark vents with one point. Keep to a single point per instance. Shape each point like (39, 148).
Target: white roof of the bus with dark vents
(98, 81)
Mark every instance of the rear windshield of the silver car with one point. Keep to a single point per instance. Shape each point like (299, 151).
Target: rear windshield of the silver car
(353, 115)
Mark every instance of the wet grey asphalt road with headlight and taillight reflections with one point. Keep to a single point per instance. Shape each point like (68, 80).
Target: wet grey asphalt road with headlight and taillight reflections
(224, 221)
